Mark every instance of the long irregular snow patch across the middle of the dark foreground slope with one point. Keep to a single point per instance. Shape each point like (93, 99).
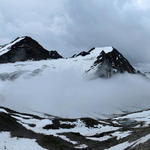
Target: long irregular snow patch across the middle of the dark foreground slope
(79, 127)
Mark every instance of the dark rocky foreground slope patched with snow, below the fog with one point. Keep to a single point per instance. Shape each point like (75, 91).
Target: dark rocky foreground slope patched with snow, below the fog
(42, 131)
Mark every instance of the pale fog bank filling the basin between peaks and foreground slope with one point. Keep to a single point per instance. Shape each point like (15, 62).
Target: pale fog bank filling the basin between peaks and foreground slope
(65, 94)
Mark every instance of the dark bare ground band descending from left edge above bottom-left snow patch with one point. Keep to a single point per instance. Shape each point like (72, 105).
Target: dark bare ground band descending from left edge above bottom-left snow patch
(10, 124)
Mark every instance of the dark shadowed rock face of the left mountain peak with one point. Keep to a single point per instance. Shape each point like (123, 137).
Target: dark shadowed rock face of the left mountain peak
(27, 49)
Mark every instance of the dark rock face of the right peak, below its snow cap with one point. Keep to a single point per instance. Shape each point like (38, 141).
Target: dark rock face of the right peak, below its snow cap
(111, 63)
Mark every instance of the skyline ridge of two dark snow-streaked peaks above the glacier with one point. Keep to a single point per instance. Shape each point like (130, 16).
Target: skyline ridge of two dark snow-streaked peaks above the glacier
(107, 61)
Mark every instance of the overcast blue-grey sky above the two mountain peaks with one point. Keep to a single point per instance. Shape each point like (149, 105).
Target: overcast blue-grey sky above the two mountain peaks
(70, 26)
